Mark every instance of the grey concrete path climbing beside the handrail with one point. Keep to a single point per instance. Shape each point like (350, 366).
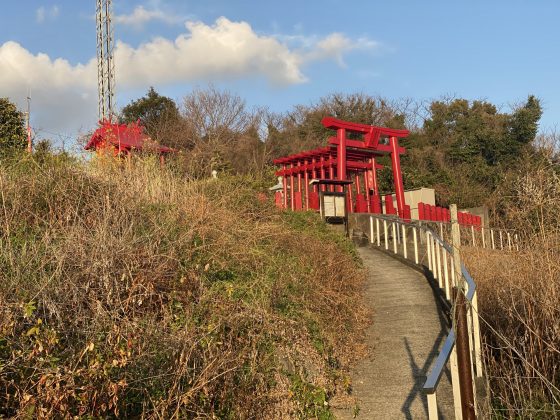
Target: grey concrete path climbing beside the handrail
(407, 332)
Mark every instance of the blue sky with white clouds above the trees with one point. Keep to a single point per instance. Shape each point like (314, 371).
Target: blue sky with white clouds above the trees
(279, 53)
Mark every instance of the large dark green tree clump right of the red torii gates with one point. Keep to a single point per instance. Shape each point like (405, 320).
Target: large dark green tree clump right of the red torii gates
(466, 148)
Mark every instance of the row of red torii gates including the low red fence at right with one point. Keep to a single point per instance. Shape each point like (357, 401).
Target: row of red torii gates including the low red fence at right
(350, 156)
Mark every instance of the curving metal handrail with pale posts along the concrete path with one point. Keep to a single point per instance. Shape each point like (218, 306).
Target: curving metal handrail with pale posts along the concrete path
(437, 252)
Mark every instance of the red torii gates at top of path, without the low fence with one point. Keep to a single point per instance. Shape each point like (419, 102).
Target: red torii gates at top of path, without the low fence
(346, 155)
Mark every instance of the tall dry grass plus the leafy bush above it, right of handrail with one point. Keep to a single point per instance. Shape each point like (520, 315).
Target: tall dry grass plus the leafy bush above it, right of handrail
(520, 302)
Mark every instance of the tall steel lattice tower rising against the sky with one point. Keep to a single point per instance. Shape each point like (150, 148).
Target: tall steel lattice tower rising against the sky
(105, 62)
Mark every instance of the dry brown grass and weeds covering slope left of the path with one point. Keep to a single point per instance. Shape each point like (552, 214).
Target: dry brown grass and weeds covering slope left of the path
(128, 291)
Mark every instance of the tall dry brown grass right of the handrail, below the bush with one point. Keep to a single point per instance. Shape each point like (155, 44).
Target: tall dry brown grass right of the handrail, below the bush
(518, 298)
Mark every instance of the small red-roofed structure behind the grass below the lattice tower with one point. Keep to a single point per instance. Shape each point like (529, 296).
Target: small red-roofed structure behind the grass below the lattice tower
(123, 139)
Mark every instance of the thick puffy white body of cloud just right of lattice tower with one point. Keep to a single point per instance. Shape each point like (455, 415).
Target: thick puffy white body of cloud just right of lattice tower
(225, 50)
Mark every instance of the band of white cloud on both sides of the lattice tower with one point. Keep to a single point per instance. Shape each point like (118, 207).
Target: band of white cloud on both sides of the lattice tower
(64, 95)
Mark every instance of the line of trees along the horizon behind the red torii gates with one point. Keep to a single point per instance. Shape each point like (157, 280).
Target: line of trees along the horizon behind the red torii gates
(463, 149)
